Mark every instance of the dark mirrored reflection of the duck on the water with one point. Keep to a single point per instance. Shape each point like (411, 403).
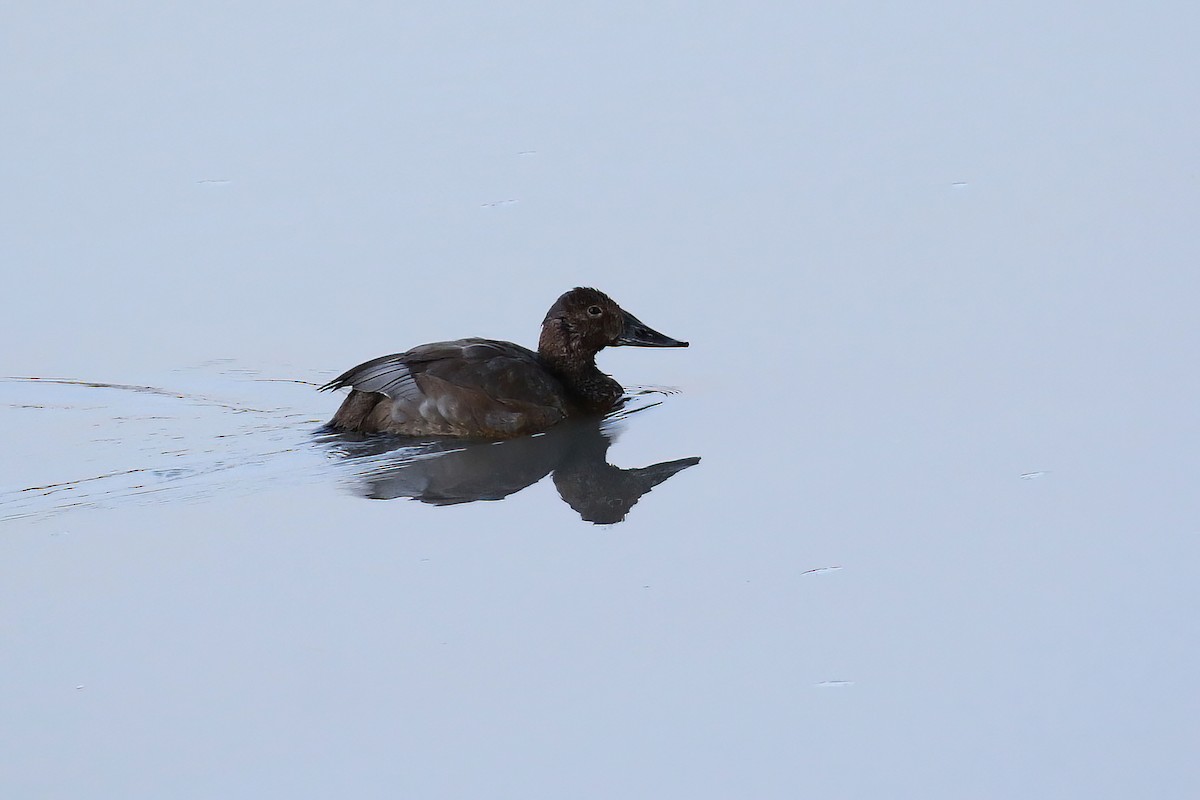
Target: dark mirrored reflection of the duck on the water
(453, 472)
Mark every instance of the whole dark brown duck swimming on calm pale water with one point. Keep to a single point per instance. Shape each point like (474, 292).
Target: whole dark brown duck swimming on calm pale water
(485, 389)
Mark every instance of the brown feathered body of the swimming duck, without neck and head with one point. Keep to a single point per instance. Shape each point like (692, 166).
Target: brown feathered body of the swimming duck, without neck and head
(467, 388)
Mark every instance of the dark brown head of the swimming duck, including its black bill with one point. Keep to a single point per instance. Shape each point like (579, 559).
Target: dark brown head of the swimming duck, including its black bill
(584, 322)
